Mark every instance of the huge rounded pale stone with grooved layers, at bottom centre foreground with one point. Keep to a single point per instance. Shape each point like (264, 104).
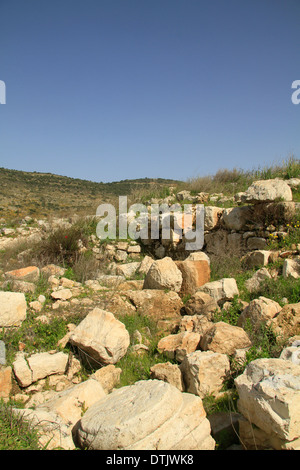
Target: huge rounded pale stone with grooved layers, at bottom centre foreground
(149, 415)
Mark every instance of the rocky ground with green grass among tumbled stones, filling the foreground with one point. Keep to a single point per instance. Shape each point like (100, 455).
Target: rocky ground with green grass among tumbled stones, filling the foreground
(68, 346)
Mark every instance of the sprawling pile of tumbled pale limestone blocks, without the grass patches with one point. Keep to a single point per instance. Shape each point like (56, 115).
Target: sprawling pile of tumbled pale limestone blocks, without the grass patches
(165, 412)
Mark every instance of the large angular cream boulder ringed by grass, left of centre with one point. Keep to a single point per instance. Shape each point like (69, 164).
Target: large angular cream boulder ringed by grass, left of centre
(102, 337)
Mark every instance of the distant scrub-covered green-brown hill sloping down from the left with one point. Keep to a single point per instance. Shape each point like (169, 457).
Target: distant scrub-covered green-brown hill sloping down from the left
(45, 194)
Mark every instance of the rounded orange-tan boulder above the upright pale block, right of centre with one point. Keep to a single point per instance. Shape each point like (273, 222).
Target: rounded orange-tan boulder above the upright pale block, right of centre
(224, 339)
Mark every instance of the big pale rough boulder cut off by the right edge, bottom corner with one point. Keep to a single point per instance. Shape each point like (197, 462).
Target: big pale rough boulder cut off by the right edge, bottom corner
(269, 393)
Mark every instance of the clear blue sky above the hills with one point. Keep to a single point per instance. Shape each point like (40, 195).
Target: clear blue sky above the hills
(107, 90)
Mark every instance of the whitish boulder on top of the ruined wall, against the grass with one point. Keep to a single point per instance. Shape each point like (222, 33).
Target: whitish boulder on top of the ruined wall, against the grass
(268, 191)
